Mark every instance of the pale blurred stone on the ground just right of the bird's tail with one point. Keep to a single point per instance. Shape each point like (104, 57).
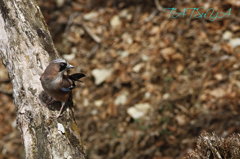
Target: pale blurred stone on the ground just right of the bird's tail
(100, 75)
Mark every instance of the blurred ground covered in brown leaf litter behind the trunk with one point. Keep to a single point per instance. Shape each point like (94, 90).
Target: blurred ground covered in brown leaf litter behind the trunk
(153, 84)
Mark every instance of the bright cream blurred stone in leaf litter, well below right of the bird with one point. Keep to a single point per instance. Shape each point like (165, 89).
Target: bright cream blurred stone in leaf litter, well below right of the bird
(139, 110)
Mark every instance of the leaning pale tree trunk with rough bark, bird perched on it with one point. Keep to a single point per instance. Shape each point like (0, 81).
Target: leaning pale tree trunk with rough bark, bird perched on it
(25, 47)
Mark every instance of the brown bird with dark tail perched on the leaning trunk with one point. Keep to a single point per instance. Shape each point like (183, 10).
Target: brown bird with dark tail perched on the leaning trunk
(57, 83)
